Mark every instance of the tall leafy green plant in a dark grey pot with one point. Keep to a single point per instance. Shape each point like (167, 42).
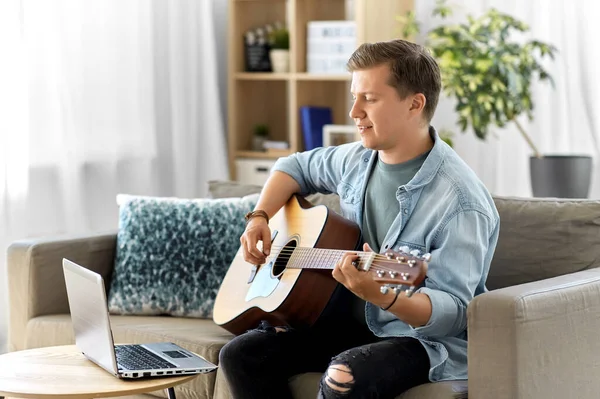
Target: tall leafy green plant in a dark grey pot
(490, 76)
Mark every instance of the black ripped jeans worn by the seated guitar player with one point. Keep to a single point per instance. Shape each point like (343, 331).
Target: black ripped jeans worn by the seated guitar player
(258, 364)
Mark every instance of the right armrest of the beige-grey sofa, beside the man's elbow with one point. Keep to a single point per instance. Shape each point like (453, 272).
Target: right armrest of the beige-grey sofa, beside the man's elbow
(536, 340)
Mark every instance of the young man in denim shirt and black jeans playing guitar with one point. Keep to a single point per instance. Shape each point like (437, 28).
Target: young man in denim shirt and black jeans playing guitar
(404, 187)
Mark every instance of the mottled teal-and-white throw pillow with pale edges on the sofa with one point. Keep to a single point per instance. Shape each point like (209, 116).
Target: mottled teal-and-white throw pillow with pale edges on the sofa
(172, 254)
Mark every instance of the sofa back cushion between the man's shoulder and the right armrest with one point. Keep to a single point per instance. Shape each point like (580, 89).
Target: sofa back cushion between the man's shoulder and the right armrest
(542, 238)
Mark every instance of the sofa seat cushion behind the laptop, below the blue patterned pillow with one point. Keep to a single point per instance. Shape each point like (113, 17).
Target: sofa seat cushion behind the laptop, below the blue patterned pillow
(200, 336)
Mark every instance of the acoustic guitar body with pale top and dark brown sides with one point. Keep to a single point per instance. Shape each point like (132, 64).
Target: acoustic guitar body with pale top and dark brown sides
(285, 296)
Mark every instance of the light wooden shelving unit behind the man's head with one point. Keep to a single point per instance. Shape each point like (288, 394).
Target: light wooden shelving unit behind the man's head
(275, 98)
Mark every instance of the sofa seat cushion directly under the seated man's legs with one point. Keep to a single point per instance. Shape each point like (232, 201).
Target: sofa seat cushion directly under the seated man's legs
(306, 386)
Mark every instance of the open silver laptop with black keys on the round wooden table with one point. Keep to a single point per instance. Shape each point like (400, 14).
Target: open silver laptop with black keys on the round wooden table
(93, 334)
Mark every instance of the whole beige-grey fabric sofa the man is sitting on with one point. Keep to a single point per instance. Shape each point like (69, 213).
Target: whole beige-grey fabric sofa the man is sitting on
(534, 335)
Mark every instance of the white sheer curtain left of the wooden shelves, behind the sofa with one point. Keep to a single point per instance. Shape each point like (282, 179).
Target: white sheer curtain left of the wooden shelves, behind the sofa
(102, 97)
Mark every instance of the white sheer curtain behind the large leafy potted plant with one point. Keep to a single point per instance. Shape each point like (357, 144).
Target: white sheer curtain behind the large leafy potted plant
(567, 118)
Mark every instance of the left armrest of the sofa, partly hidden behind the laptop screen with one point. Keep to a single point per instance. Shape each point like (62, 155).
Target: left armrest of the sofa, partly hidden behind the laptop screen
(36, 280)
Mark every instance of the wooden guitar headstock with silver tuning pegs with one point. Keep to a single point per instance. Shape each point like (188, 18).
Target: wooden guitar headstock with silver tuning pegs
(395, 269)
